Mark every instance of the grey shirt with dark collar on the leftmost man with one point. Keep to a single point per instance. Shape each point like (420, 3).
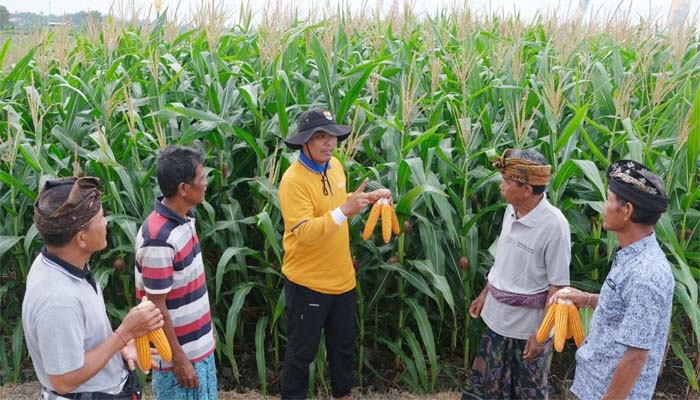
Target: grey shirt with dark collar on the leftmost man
(64, 316)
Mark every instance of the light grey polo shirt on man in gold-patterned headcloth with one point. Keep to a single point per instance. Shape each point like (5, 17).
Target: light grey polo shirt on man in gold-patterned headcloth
(533, 253)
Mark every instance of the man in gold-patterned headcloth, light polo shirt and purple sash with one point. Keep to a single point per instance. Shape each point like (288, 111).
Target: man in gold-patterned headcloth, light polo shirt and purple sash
(532, 261)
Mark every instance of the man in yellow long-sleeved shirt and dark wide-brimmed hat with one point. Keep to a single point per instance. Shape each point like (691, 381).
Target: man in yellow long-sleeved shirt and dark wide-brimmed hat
(320, 278)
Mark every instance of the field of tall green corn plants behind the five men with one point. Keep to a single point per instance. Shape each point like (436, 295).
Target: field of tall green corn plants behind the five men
(431, 101)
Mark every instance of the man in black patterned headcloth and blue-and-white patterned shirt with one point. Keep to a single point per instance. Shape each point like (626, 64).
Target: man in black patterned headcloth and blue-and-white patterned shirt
(623, 352)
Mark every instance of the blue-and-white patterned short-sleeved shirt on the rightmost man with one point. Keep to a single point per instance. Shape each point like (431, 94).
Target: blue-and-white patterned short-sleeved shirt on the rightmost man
(634, 310)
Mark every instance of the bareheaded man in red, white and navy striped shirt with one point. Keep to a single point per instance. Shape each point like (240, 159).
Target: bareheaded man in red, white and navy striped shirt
(170, 271)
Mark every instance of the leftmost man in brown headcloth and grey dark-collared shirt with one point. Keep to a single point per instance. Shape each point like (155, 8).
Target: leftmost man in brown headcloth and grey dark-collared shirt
(75, 353)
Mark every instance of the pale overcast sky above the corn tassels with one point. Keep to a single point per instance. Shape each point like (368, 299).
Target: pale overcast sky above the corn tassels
(526, 8)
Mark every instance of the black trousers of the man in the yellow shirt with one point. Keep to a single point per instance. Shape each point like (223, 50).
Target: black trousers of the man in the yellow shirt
(308, 313)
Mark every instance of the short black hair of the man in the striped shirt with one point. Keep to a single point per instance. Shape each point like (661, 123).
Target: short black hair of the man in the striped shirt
(176, 165)
